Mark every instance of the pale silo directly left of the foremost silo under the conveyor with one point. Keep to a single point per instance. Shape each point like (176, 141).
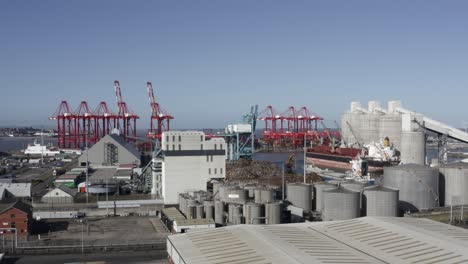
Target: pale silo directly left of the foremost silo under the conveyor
(390, 127)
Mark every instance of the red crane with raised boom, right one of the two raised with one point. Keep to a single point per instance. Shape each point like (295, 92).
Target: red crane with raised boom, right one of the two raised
(158, 116)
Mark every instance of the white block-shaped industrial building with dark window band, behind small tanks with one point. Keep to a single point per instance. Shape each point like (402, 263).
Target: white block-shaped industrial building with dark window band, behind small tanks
(188, 163)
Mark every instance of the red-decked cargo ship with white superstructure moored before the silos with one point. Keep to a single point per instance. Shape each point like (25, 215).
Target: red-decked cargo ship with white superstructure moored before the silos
(371, 158)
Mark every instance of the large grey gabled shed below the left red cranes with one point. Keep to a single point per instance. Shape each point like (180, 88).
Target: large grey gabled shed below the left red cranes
(111, 150)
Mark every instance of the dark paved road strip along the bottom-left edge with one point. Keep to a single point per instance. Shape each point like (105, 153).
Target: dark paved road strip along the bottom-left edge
(143, 257)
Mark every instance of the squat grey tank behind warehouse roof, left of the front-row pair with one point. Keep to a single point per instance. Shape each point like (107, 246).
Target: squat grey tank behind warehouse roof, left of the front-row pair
(340, 204)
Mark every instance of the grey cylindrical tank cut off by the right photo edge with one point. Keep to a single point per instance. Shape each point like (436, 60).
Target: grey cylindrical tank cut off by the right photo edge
(454, 183)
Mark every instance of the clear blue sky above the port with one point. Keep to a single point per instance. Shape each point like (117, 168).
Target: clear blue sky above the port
(210, 60)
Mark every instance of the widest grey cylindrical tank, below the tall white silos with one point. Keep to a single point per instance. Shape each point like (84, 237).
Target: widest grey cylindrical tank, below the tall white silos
(418, 185)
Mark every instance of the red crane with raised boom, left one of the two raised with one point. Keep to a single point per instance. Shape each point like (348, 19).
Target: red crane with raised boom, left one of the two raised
(126, 118)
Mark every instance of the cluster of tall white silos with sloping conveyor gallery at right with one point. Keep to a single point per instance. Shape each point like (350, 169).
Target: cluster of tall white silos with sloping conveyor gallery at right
(405, 130)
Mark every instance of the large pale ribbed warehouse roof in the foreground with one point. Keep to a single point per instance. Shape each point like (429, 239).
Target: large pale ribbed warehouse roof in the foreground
(361, 240)
